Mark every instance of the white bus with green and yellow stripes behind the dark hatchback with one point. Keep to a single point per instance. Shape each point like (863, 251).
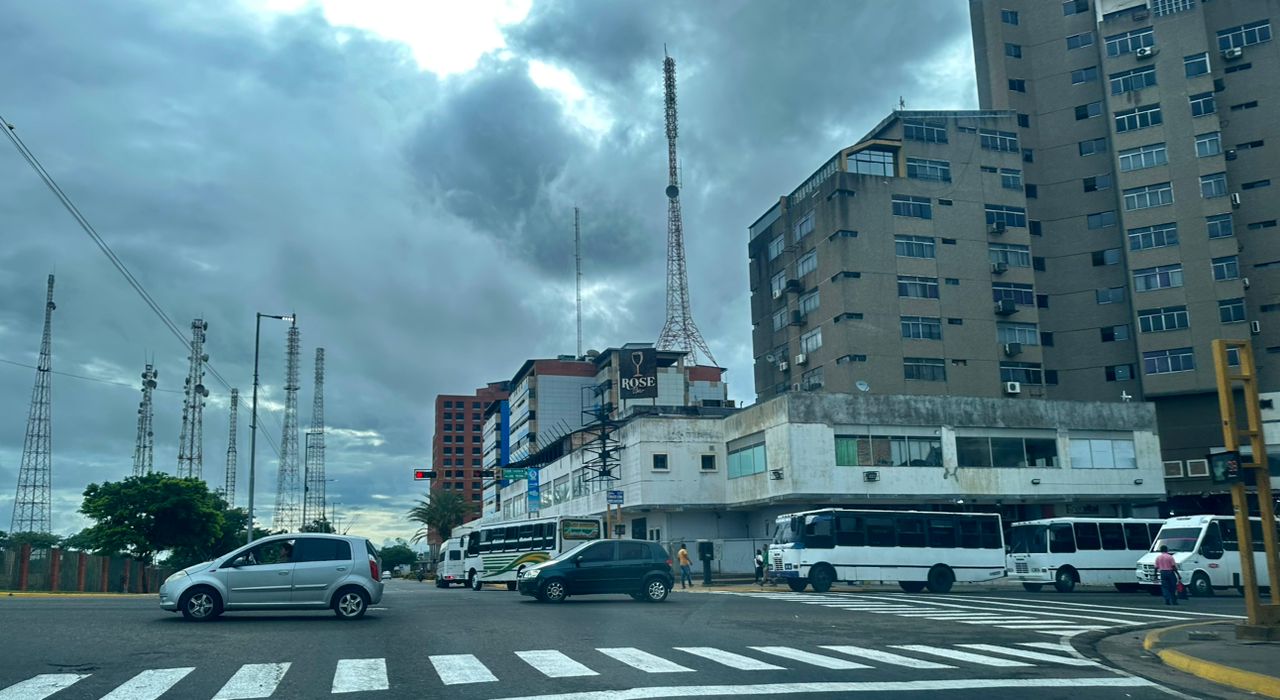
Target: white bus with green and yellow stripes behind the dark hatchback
(500, 553)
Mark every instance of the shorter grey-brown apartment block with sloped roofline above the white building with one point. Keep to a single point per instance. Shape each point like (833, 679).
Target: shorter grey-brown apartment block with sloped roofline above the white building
(904, 267)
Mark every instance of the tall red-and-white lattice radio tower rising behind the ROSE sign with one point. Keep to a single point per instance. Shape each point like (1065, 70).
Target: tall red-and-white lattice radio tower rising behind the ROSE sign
(680, 332)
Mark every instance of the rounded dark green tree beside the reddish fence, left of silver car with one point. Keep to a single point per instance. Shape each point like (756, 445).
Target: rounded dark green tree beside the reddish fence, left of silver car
(141, 516)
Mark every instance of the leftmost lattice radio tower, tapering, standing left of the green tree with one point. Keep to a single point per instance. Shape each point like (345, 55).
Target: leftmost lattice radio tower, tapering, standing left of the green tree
(31, 510)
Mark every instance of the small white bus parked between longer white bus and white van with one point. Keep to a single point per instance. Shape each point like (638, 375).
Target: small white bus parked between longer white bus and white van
(1066, 552)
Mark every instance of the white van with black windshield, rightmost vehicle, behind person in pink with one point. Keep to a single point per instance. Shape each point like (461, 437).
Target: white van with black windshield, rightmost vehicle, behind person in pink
(1208, 551)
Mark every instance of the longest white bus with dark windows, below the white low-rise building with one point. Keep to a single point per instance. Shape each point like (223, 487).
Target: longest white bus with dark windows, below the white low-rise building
(917, 550)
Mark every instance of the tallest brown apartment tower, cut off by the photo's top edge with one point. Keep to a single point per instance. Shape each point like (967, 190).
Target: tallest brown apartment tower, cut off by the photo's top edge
(1145, 127)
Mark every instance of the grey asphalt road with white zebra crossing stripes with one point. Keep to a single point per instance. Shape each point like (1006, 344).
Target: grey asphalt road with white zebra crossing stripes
(423, 642)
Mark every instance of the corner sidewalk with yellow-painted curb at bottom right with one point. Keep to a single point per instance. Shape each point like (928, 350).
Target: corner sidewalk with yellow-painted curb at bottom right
(1210, 651)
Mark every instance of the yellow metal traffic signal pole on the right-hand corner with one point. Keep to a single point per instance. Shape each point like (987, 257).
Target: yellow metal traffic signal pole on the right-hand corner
(1264, 620)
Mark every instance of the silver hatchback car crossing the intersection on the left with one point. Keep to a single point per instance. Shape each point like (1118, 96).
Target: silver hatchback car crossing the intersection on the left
(282, 573)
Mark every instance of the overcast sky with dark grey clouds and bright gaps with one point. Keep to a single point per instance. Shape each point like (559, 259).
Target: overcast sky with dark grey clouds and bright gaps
(404, 177)
